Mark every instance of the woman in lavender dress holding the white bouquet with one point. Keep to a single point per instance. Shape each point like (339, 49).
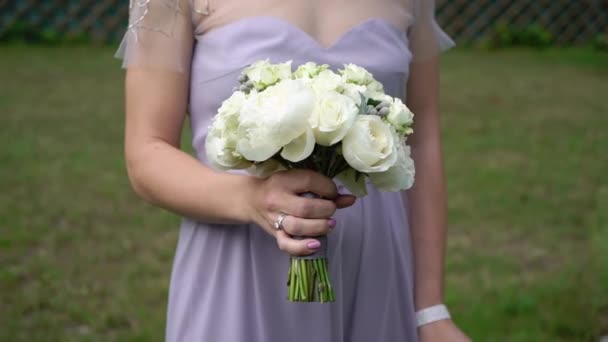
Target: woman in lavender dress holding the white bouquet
(229, 273)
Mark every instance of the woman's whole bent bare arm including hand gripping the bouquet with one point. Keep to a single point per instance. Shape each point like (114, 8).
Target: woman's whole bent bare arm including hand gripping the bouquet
(164, 175)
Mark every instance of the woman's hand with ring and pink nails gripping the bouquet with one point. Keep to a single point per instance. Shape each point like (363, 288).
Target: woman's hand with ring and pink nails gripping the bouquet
(280, 193)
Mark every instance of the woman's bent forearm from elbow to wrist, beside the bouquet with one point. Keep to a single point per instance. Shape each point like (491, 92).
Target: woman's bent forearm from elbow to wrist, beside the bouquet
(172, 179)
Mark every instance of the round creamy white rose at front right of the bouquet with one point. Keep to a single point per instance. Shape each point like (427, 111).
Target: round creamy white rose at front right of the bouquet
(370, 145)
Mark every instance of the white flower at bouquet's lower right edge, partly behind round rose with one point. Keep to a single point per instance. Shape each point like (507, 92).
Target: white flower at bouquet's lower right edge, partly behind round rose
(400, 176)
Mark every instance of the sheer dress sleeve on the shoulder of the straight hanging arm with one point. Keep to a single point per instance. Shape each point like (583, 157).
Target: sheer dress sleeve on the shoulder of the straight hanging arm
(426, 38)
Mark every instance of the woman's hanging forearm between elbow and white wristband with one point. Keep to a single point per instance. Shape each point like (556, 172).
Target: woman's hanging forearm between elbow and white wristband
(427, 200)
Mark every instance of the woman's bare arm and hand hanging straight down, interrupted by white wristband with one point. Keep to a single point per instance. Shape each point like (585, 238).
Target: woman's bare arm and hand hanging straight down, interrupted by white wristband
(427, 198)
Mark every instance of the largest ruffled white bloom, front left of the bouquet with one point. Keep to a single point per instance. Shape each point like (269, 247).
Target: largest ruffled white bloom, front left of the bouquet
(273, 118)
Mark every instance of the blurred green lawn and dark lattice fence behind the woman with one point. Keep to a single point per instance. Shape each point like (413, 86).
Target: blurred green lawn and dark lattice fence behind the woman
(525, 117)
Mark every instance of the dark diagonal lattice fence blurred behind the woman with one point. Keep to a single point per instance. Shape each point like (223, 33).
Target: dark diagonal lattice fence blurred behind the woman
(570, 21)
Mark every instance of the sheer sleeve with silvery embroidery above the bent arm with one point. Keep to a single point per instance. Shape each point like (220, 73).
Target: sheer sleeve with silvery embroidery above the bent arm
(159, 35)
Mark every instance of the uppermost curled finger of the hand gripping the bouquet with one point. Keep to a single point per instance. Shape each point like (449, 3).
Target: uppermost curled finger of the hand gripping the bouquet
(302, 181)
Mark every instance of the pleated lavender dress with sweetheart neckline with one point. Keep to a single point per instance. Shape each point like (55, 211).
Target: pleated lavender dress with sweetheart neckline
(229, 282)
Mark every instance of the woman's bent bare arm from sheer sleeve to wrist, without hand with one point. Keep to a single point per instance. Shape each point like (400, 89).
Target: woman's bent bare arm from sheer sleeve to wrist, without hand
(159, 171)
